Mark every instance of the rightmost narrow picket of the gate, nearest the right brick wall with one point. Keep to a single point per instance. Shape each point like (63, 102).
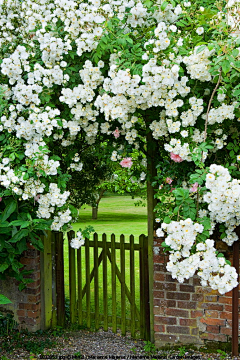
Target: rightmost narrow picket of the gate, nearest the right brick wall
(141, 277)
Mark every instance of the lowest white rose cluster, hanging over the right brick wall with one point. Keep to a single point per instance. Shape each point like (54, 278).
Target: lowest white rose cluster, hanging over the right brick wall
(212, 270)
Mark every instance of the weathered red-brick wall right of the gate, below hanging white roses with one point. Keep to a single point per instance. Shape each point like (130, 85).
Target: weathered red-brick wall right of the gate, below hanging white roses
(187, 313)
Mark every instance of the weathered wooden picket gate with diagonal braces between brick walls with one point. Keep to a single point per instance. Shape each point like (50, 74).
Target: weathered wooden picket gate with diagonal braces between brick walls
(98, 288)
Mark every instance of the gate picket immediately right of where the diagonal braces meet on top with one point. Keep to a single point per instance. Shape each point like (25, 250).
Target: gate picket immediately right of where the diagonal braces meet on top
(114, 299)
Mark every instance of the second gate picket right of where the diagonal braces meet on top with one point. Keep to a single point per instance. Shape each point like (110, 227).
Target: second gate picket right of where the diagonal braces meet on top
(123, 298)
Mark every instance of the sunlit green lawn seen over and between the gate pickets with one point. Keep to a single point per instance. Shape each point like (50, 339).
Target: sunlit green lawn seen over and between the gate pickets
(118, 215)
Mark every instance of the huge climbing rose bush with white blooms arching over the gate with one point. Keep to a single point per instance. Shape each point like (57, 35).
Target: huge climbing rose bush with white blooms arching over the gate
(78, 74)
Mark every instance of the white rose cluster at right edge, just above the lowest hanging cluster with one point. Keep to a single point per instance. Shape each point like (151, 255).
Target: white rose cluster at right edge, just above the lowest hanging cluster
(224, 200)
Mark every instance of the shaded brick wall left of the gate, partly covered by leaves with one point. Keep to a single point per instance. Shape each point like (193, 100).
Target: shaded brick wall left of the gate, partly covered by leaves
(26, 304)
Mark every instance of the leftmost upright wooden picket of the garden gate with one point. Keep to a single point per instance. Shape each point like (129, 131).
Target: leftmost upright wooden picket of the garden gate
(72, 277)
